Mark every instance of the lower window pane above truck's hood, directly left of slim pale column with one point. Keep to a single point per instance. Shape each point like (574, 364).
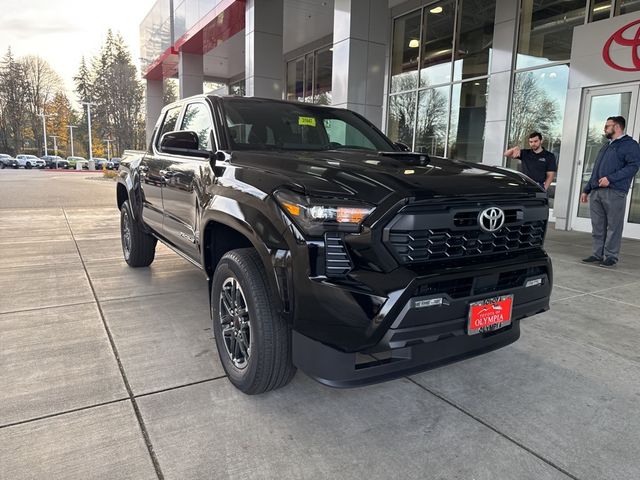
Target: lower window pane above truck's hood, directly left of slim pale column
(468, 114)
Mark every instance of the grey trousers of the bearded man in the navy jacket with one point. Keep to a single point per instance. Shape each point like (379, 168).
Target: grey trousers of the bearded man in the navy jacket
(607, 208)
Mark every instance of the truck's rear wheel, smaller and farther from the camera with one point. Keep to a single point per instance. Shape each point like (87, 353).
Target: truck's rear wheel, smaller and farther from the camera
(138, 247)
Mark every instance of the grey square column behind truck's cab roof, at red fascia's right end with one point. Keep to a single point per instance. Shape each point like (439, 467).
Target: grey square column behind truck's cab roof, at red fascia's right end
(263, 65)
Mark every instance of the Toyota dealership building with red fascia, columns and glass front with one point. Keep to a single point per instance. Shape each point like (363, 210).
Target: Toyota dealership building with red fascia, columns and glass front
(462, 79)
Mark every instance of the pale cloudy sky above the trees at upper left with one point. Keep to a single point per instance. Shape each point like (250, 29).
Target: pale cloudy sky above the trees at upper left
(62, 32)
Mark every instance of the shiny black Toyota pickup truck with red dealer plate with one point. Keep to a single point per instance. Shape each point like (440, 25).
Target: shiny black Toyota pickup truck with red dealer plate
(328, 247)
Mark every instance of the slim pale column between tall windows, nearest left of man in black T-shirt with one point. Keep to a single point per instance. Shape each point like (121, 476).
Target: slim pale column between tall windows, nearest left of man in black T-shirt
(495, 130)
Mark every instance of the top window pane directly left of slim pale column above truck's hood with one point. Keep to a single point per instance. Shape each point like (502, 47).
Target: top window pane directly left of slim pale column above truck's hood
(475, 38)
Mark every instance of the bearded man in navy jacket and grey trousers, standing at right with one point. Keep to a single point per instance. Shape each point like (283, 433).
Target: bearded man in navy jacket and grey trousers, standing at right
(615, 166)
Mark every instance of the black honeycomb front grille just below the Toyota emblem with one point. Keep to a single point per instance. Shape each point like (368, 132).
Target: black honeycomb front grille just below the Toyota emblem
(440, 244)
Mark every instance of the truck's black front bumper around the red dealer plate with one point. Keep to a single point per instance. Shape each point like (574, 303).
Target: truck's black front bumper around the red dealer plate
(402, 336)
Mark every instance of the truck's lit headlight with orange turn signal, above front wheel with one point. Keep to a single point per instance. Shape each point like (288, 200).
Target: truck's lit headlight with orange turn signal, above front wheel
(318, 215)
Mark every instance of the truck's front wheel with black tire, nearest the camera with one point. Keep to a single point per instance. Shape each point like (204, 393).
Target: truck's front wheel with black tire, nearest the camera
(267, 365)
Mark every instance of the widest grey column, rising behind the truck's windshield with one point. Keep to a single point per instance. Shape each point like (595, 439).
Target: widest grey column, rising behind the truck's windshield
(360, 31)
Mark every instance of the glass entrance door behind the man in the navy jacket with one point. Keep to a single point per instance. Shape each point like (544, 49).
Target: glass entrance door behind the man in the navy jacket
(598, 105)
